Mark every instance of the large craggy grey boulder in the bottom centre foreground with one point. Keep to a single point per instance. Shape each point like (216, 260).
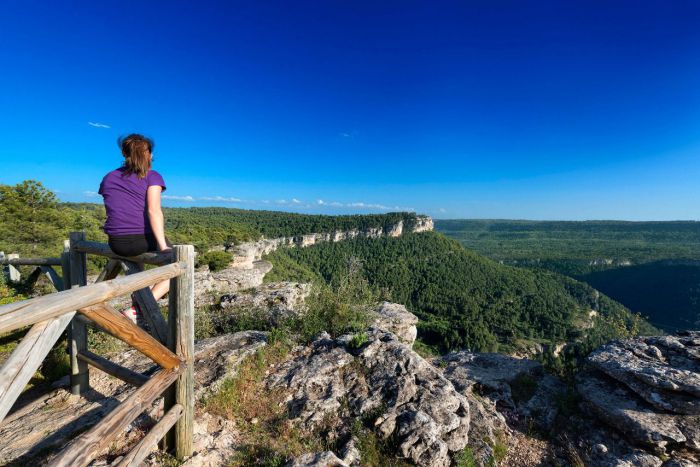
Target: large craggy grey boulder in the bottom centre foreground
(407, 398)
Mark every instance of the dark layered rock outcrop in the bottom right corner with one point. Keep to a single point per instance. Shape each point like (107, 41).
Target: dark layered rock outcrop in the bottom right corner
(648, 390)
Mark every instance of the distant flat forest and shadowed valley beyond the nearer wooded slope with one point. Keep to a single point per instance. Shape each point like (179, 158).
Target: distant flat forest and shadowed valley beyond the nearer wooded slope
(652, 268)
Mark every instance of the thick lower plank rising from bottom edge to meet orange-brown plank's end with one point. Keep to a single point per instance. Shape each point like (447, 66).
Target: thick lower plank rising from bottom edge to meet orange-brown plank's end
(89, 445)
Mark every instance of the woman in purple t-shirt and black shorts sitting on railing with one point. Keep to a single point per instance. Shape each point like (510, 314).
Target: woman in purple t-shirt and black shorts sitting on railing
(131, 196)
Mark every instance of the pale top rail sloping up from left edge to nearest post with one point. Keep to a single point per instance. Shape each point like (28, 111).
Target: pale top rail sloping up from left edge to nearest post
(27, 312)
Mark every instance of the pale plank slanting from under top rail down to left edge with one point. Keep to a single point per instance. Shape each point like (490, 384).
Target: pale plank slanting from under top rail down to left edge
(19, 368)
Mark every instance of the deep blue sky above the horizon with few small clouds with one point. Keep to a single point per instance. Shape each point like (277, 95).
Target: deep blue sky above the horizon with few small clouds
(469, 109)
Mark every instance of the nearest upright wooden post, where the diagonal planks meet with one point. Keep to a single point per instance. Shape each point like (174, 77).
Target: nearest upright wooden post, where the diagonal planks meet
(181, 341)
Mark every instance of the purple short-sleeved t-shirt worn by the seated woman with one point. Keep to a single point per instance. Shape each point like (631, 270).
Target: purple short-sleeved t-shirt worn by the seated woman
(125, 201)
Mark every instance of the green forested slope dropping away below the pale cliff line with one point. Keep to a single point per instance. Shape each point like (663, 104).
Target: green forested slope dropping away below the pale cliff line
(465, 300)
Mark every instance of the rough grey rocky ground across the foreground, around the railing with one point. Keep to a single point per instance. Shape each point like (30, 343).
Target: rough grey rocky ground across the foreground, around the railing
(636, 403)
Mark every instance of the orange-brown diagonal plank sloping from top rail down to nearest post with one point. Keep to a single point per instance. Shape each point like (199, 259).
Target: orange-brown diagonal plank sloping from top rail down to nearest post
(122, 328)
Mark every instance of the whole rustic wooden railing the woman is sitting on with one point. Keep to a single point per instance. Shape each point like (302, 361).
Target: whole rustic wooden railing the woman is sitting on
(77, 306)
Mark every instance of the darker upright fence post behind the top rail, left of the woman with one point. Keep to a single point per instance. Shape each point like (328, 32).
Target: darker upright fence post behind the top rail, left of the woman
(77, 334)
